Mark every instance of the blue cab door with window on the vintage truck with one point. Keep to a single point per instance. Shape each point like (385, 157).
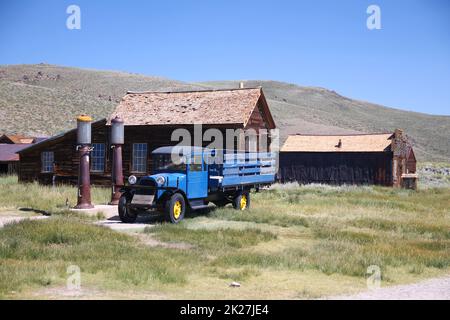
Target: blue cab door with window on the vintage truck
(197, 178)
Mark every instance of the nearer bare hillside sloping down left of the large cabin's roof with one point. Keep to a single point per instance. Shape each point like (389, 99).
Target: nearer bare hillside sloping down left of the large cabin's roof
(45, 99)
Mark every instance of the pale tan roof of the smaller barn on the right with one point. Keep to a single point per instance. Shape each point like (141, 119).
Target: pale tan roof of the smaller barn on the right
(330, 143)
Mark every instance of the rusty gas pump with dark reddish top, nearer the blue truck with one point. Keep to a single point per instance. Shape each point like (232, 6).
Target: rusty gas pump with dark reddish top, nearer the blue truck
(117, 140)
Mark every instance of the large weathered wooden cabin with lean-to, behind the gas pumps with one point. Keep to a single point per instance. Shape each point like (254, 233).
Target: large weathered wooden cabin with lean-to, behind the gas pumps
(150, 119)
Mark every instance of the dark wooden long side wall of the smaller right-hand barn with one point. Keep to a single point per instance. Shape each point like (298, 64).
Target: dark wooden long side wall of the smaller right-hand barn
(336, 168)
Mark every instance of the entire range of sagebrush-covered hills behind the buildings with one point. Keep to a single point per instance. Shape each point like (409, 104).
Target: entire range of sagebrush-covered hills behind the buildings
(45, 99)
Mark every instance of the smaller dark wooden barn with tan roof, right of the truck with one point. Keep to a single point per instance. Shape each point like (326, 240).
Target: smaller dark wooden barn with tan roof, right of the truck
(378, 159)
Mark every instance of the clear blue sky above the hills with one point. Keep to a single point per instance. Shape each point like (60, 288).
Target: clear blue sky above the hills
(322, 43)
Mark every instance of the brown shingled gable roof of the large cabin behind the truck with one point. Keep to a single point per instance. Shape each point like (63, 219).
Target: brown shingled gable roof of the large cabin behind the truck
(225, 106)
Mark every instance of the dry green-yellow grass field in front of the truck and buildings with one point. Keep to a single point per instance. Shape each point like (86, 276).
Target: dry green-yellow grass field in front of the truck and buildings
(295, 242)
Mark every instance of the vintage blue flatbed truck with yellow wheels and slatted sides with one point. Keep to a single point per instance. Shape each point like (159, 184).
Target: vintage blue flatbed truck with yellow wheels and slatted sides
(189, 178)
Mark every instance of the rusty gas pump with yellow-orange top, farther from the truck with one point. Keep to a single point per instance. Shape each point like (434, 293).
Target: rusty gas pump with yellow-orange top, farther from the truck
(84, 148)
